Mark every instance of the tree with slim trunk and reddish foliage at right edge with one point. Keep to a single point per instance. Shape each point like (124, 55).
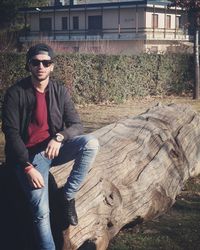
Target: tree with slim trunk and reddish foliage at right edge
(193, 7)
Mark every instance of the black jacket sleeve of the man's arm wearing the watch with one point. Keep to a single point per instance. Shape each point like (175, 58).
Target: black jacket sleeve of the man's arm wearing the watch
(73, 125)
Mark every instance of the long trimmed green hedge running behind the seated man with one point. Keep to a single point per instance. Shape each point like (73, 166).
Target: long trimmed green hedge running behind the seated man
(100, 78)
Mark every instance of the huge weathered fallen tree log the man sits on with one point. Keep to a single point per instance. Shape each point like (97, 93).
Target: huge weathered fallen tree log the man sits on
(141, 167)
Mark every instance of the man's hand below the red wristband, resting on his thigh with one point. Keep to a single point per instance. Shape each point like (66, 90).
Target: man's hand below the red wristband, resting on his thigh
(35, 178)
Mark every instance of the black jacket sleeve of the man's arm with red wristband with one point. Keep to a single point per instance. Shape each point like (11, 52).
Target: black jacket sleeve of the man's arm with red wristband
(11, 127)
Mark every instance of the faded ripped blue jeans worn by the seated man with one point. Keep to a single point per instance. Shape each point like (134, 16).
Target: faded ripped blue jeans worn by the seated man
(81, 149)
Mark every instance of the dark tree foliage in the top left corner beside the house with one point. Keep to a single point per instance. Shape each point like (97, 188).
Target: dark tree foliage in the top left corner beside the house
(9, 10)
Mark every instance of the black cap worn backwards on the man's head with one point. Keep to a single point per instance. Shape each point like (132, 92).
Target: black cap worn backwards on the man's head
(37, 49)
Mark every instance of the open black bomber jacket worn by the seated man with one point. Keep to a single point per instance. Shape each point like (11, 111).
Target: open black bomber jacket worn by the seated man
(18, 105)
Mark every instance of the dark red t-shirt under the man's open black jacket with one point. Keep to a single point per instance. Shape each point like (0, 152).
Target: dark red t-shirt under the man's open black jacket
(38, 129)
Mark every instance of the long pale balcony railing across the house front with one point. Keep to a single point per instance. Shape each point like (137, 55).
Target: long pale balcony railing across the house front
(107, 34)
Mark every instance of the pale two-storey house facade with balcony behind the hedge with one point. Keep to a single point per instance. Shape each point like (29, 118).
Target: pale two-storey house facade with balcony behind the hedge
(114, 27)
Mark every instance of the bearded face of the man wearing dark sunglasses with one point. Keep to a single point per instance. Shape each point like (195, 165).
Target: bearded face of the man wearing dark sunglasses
(40, 67)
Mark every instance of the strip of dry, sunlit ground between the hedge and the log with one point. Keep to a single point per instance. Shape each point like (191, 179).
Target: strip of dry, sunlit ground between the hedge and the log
(97, 116)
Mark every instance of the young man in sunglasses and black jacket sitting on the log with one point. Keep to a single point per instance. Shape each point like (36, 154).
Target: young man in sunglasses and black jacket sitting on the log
(42, 129)
